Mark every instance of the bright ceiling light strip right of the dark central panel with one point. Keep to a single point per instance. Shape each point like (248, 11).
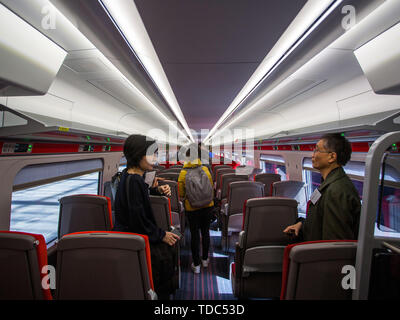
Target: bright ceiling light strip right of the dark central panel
(314, 14)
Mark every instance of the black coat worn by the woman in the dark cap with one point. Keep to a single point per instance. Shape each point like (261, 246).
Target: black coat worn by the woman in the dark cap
(139, 217)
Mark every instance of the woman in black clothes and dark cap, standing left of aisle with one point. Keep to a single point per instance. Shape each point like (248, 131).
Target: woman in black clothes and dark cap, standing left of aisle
(134, 214)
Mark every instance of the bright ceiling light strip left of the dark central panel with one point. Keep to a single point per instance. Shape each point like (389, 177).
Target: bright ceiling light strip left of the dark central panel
(126, 18)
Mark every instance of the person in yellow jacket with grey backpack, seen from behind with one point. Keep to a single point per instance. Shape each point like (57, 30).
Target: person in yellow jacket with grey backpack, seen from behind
(195, 186)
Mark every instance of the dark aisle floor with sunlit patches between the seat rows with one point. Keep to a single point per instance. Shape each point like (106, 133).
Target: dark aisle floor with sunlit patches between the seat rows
(213, 282)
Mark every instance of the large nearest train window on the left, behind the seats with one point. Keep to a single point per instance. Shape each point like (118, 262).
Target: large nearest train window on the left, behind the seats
(36, 209)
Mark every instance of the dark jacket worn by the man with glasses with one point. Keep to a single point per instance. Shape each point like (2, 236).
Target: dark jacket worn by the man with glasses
(336, 214)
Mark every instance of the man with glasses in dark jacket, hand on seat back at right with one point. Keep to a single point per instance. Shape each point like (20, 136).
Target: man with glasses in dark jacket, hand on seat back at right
(334, 208)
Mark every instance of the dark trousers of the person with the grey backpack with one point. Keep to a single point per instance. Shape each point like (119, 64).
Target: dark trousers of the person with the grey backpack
(199, 222)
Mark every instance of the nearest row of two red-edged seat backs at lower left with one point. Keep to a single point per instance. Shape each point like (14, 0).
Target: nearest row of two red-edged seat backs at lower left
(90, 265)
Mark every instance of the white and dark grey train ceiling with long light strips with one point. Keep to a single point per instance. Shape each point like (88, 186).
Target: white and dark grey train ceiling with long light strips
(209, 65)
